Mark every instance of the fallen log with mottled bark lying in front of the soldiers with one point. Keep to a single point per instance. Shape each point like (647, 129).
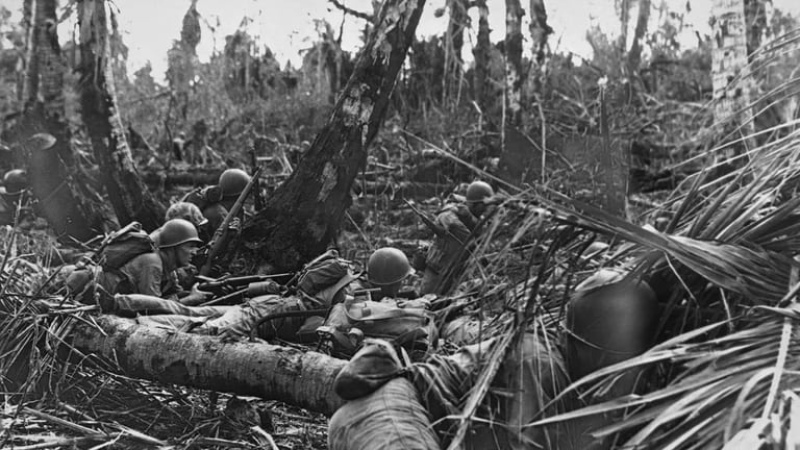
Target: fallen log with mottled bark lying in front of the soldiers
(304, 379)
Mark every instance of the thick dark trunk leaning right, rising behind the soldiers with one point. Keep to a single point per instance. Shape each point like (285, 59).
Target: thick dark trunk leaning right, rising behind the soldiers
(304, 214)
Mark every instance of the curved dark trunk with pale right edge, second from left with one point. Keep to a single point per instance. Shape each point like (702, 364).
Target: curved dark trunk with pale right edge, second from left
(128, 194)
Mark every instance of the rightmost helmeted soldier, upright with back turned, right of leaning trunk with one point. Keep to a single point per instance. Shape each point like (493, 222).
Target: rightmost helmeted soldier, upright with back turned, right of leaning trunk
(455, 223)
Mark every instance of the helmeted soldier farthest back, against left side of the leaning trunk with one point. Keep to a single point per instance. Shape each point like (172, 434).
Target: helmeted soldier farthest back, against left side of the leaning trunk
(216, 201)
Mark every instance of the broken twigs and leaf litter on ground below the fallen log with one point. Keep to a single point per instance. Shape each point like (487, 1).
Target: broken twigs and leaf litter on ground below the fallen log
(115, 412)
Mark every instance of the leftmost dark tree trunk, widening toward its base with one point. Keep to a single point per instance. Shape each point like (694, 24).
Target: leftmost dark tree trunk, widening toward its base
(55, 178)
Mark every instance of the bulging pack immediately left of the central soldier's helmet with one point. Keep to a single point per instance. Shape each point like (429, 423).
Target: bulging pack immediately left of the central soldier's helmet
(323, 273)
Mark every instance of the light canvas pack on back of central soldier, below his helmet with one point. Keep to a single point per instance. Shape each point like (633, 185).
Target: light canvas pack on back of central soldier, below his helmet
(405, 324)
